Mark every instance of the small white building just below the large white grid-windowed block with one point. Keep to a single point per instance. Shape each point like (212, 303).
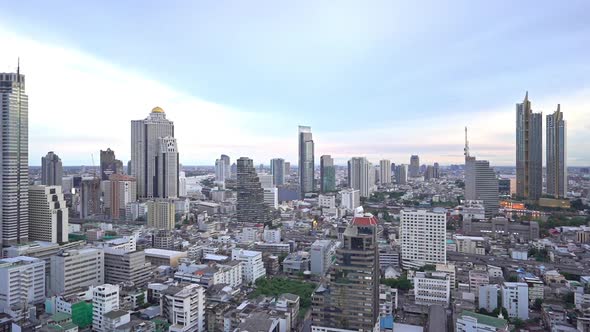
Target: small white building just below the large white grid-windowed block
(432, 288)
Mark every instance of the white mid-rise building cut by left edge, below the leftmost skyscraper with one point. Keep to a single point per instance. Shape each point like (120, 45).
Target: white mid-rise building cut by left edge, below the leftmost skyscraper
(22, 284)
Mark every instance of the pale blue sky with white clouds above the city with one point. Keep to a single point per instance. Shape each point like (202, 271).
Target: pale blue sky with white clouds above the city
(381, 79)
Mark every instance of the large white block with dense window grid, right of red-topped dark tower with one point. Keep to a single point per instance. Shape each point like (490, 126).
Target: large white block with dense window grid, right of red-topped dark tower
(423, 238)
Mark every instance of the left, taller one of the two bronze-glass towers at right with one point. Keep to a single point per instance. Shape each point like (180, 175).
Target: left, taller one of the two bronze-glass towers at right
(529, 151)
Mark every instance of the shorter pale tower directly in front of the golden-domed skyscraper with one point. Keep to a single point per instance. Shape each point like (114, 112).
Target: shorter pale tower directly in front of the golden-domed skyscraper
(167, 168)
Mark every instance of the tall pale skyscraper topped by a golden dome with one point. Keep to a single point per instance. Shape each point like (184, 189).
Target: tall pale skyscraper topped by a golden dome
(145, 147)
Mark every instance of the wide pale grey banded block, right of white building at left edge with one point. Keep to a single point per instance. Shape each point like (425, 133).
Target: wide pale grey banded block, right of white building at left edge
(74, 270)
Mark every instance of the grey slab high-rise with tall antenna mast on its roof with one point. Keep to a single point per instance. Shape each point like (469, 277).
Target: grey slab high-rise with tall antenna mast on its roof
(481, 182)
